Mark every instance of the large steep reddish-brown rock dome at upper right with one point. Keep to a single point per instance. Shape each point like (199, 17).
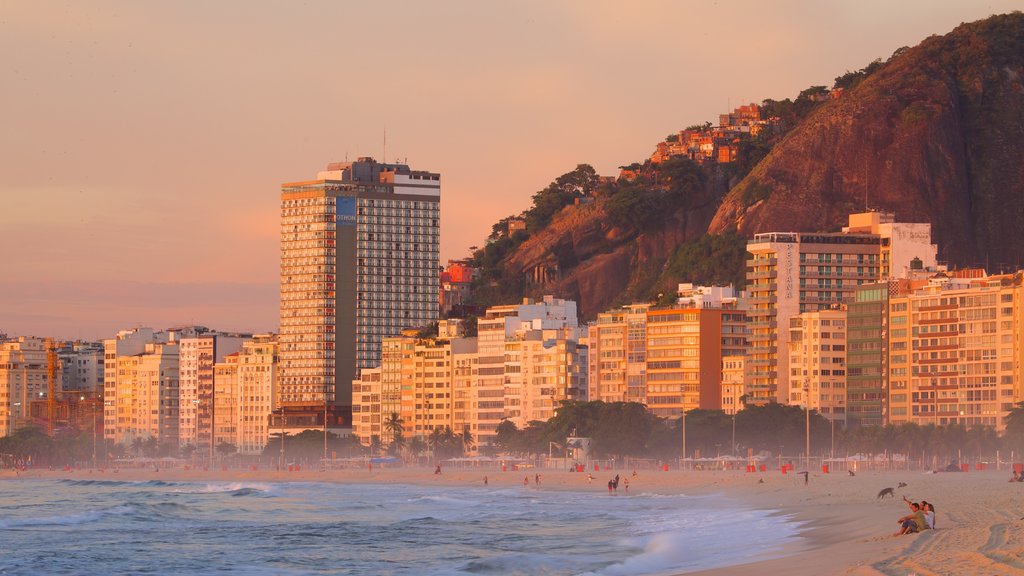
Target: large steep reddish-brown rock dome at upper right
(936, 135)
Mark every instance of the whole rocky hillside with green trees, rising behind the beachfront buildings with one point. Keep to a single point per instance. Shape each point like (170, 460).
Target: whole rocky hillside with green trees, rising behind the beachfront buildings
(935, 135)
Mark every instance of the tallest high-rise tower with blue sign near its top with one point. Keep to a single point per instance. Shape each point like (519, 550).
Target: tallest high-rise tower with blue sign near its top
(360, 255)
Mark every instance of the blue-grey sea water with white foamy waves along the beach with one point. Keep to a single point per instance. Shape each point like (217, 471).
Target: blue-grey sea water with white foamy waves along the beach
(110, 527)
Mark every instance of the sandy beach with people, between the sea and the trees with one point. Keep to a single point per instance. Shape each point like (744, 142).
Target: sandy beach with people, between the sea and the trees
(845, 528)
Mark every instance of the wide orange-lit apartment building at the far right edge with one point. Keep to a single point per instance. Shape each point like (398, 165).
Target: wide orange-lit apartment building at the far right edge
(956, 351)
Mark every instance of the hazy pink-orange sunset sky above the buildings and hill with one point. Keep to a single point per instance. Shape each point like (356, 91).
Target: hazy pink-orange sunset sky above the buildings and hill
(144, 145)
